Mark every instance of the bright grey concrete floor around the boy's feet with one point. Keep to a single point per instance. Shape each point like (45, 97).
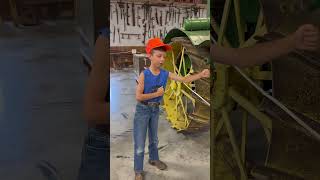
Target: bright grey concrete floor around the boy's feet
(187, 156)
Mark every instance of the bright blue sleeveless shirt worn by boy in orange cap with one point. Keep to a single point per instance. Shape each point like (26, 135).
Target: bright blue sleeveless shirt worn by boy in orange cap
(152, 83)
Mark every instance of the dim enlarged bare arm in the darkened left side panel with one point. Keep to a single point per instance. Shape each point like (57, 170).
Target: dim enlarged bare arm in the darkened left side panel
(95, 107)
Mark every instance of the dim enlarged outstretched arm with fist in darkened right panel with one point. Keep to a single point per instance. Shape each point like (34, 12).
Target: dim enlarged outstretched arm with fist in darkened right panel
(305, 38)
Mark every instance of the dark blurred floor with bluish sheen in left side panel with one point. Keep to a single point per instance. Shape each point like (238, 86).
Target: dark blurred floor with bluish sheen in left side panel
(41, 89)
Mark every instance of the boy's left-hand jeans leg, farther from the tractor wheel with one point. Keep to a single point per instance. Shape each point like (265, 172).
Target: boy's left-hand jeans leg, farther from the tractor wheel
(140, 125)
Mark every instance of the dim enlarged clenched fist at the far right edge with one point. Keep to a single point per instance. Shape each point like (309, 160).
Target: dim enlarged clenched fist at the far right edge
(307, 37)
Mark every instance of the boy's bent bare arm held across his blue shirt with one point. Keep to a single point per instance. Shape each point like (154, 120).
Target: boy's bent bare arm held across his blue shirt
(139, 91)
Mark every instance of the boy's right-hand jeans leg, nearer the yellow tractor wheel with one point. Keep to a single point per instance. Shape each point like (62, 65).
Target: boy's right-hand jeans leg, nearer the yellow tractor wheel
(153, 134)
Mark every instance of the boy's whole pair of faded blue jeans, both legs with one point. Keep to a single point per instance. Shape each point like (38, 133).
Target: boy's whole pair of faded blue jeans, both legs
(146, 117)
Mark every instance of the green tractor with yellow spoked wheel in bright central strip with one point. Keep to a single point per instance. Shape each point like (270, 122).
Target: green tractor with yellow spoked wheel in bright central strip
(187, 105)
